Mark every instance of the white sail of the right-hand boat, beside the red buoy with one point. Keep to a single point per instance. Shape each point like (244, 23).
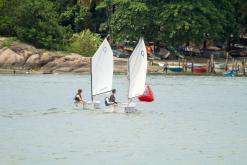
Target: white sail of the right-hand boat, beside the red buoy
(137, 70)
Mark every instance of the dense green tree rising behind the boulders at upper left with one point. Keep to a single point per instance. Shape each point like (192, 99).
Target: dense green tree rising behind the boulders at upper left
(38, 25)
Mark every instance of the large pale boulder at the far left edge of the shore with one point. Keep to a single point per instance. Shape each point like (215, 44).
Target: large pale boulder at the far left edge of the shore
(9, 58)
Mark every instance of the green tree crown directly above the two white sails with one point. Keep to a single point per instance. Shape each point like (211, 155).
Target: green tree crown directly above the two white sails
(129, 20)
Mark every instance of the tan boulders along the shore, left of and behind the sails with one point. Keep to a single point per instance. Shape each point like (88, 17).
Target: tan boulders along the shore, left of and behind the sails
(23, 58)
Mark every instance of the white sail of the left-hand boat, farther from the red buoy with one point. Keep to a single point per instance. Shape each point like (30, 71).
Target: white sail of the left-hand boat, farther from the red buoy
(102, 69)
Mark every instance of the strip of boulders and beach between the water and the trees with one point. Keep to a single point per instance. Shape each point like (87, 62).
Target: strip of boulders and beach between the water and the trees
(20, 58)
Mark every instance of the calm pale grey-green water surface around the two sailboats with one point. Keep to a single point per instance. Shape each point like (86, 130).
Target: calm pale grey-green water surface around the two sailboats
(194, 120)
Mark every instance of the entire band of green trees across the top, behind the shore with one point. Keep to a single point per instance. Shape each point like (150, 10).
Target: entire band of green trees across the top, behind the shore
(61, 24)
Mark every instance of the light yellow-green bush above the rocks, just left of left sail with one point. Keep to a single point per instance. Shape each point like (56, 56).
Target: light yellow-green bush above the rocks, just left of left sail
(84, 43)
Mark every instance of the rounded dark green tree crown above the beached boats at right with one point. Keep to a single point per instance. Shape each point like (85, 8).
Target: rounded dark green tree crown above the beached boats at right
(187, 21)
